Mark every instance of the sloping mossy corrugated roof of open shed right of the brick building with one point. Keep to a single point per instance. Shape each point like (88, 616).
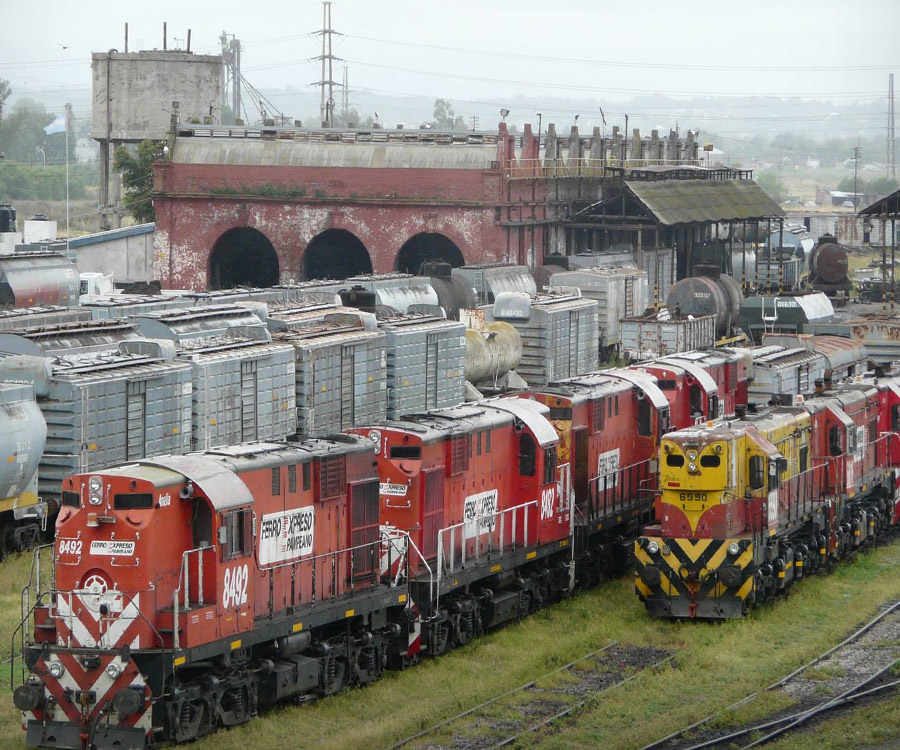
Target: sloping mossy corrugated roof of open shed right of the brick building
(685, 201)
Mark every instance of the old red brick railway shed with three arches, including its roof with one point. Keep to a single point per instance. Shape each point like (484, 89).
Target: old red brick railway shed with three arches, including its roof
(238, 206)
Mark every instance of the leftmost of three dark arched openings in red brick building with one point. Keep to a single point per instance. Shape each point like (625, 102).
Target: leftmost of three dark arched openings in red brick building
(243, 257)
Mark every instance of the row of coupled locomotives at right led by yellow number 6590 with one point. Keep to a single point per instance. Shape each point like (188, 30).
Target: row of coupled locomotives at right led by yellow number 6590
(749, 506)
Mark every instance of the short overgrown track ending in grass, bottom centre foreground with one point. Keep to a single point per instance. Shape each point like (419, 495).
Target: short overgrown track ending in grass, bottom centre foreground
(534, 705)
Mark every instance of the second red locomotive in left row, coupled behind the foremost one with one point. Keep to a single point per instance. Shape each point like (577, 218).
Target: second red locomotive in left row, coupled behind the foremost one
(478, 493)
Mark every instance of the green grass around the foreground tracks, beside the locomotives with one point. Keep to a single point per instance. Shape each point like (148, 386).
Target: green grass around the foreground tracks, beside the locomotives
(719, 663)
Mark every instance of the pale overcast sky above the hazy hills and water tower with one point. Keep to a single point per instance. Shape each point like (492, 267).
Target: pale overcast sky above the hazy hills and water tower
(463, 50)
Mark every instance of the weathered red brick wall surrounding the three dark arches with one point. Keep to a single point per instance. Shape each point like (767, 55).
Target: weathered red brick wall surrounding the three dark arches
(196, 204)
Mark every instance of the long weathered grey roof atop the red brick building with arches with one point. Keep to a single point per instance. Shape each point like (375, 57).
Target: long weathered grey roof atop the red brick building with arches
(293, 154)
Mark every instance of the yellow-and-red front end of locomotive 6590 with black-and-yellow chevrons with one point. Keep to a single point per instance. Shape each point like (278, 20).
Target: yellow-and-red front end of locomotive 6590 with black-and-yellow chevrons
(706, 555)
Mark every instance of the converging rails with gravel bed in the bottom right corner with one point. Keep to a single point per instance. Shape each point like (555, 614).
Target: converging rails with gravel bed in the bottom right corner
(858, 667)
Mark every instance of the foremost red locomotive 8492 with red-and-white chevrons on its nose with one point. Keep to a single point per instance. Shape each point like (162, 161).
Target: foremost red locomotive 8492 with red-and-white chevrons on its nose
(191, 591)
